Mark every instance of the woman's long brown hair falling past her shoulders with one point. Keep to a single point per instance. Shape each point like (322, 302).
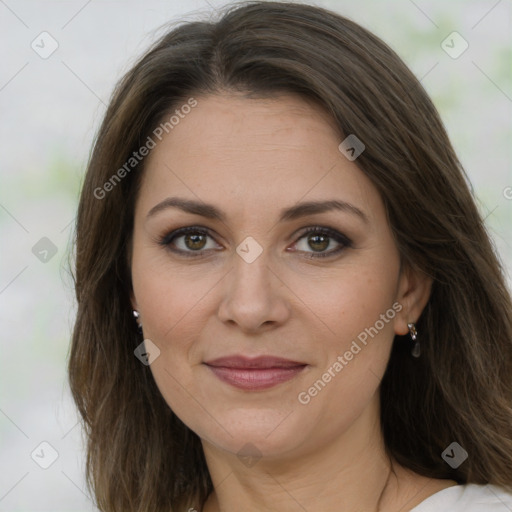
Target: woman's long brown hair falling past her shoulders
(140, 456)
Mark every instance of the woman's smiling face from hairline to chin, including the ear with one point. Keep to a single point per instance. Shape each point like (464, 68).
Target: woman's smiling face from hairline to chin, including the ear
(273, 337)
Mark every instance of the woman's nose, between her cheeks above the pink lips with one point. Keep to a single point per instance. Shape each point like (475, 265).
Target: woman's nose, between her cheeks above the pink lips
(254, 296)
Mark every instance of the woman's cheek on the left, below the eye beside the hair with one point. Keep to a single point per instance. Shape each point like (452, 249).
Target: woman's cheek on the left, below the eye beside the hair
(172, 307)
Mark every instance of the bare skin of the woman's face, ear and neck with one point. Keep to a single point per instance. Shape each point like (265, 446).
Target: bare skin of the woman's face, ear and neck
(251, 158)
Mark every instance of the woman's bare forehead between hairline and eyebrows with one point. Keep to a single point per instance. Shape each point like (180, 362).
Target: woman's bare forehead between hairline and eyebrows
(251, 153)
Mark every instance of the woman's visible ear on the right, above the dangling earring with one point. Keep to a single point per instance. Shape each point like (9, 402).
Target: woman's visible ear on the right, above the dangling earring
(414, 288)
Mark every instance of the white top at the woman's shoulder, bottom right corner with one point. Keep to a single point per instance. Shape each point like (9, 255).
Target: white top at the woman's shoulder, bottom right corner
(468, 498)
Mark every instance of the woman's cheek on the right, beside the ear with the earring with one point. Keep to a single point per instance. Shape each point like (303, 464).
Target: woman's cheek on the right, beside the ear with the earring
(356, 313)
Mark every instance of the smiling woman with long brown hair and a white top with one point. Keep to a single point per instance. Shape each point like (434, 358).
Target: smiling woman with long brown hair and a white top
(287, 299)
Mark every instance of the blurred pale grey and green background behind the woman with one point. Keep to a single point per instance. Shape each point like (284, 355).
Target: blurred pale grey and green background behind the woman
(50, 109)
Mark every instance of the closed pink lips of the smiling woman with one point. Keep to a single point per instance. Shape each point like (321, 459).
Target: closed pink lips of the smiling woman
(254, 373)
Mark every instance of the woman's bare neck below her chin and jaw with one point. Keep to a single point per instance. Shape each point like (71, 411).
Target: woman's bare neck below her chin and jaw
(350, 472)
